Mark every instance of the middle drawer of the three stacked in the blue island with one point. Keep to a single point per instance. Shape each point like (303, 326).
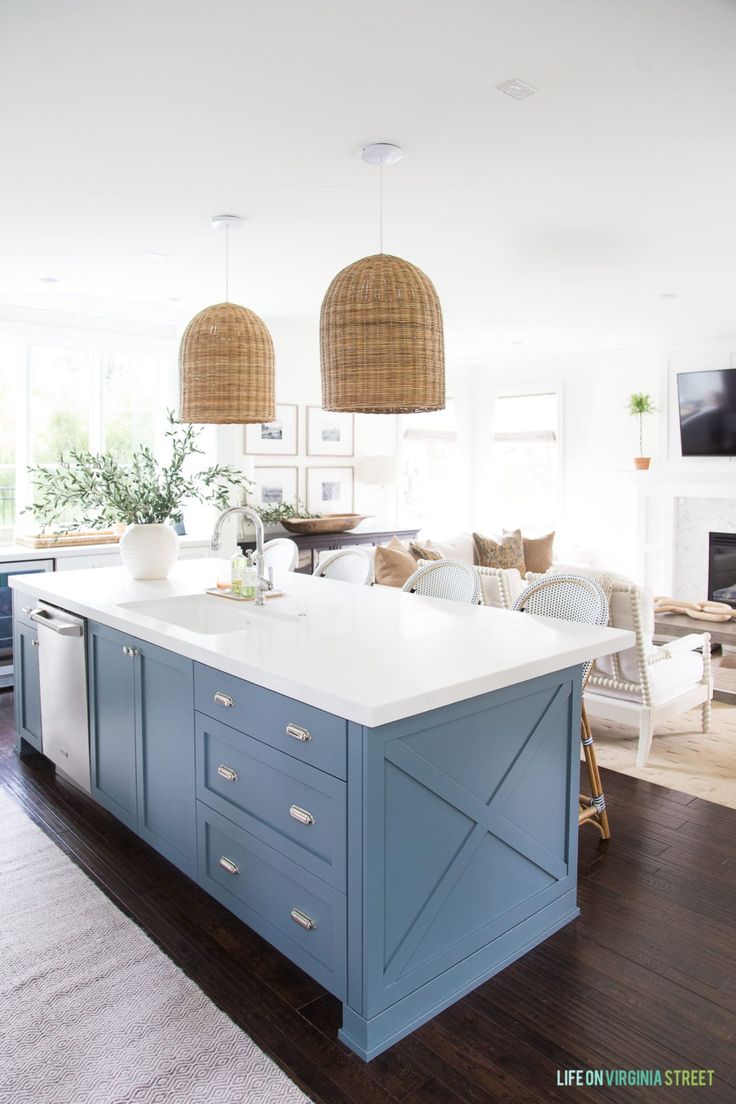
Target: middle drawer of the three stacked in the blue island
(295, 809)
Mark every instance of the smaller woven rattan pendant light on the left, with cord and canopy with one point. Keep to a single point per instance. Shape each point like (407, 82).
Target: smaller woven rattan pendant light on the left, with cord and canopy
(227, 360)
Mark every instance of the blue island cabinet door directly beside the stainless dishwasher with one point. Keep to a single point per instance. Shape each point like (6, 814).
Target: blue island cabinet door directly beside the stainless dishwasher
(113, 723)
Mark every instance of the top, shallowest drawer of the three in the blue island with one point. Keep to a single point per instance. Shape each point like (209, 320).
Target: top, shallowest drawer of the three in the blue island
(306, 734)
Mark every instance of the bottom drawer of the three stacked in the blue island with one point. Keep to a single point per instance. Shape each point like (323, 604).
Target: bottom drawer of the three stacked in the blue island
(297, 912)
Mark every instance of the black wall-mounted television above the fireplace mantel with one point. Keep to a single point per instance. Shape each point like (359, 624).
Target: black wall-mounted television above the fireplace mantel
(708, 412)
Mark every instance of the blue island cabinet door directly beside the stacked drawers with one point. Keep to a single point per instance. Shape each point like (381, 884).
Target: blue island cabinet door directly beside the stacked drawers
(165, 746)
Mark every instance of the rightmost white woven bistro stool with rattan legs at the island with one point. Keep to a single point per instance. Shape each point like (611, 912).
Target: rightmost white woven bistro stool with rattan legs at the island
(578, 599)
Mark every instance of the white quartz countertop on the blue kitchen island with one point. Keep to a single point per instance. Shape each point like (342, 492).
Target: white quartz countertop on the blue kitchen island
(372, 655)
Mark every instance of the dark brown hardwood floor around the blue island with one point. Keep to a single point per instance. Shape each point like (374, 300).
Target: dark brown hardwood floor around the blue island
(646, 979)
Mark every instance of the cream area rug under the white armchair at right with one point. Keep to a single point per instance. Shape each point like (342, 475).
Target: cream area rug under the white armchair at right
(682, 758)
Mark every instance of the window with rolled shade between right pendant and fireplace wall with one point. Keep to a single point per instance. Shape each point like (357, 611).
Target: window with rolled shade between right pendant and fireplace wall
(526, 460)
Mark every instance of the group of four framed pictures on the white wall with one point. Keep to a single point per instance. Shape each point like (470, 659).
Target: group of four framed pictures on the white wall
(306, 458)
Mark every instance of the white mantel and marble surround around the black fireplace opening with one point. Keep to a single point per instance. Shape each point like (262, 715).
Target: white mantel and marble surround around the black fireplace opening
(675, 516)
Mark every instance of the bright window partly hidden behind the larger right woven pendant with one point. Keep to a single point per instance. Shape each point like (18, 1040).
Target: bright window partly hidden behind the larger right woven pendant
(432, 489)
